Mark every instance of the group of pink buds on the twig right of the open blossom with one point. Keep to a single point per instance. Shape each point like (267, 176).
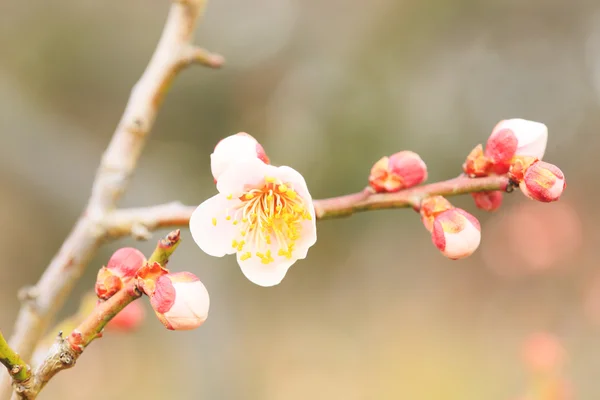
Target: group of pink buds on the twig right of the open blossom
(514, 149)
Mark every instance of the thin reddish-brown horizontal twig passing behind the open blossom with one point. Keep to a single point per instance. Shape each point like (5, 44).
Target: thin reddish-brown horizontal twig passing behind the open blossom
(131, 221)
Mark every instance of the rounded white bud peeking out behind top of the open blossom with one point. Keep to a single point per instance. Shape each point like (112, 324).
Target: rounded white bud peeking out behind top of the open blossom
(233, 149)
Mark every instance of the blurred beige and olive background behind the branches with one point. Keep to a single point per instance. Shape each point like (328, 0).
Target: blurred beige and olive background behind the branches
(328, 87)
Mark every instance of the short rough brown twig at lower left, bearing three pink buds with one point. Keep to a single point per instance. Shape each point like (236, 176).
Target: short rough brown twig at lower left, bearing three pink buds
(63, 354)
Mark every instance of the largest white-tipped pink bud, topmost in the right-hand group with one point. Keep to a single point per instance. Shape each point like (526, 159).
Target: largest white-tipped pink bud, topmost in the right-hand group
(515, 137)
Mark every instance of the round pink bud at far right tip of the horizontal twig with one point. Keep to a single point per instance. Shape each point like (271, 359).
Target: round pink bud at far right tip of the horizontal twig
(543, 182)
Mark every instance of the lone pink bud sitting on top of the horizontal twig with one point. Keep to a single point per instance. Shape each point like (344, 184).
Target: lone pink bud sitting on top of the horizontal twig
(399, 171)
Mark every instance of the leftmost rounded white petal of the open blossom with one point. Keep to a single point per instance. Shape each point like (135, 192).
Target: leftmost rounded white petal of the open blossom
(210, 229)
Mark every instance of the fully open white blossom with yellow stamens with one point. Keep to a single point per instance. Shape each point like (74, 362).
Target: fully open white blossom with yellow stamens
(262, 213)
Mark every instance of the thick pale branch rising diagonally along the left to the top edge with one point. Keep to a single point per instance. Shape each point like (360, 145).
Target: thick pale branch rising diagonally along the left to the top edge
(172, 53)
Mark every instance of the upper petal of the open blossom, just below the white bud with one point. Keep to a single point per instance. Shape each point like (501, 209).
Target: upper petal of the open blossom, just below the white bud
(242, 176)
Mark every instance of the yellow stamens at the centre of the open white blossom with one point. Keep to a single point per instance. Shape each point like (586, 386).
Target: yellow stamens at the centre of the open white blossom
(270, 216)
